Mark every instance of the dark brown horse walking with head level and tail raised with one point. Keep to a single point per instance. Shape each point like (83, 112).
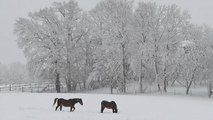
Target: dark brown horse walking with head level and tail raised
(67, 103)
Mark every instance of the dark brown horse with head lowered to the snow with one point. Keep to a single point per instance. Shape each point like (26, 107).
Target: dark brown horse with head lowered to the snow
(109, 105)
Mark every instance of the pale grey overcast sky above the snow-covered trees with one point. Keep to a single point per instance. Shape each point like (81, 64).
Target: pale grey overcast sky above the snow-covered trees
(10, 10)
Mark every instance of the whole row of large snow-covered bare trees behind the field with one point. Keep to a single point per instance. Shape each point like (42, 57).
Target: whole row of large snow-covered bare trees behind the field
(115, 44)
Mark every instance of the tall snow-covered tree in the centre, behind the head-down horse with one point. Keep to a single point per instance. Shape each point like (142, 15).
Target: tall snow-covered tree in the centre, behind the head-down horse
(113, 18)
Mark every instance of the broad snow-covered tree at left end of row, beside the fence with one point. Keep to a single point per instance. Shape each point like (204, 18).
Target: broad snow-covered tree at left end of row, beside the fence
(49, 39)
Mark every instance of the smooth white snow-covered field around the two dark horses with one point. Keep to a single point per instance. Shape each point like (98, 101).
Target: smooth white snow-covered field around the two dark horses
(35, 106)
